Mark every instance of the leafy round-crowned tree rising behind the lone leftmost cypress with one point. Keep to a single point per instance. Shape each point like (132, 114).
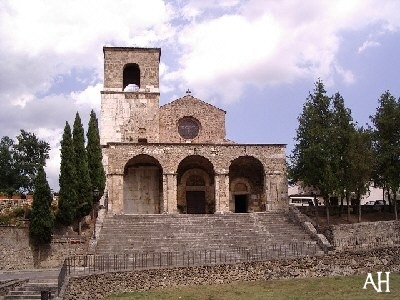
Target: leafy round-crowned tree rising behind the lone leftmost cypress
(30, 153)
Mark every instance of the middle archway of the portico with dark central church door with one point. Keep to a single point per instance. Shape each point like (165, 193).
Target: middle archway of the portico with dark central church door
(196, 186)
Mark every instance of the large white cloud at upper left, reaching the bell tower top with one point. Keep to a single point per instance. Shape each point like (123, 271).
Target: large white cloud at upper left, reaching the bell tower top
(43, 39)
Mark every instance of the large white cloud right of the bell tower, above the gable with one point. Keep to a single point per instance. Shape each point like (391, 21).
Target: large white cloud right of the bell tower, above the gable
(264, 43)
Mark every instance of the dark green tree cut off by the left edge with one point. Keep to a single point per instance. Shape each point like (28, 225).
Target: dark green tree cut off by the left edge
(8, 174)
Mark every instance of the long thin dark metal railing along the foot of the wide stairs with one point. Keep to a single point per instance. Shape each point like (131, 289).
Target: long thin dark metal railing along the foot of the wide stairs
(88, 264)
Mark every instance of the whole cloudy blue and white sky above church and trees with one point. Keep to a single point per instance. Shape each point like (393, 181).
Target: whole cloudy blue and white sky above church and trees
(256, 59)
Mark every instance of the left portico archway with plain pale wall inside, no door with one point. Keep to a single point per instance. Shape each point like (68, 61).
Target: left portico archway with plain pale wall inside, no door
(142, 185)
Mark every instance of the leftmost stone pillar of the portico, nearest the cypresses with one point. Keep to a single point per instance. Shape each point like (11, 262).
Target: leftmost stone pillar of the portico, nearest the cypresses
(115, 193)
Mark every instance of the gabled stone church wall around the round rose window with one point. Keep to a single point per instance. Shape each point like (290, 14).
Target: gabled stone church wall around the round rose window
(211, 118)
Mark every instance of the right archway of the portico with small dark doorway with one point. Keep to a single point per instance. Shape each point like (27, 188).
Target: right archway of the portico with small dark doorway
(246, 177)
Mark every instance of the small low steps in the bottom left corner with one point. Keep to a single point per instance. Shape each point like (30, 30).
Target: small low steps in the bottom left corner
(43, 288)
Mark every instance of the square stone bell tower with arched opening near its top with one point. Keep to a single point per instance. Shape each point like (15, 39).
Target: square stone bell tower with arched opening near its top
(130, 97)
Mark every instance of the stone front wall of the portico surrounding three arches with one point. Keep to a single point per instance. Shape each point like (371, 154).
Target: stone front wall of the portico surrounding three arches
(272, 158)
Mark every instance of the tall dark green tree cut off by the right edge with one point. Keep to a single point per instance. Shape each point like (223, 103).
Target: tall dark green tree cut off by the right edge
(386, 143)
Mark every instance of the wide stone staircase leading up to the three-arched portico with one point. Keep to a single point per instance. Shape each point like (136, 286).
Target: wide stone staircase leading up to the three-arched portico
(183, 232)
